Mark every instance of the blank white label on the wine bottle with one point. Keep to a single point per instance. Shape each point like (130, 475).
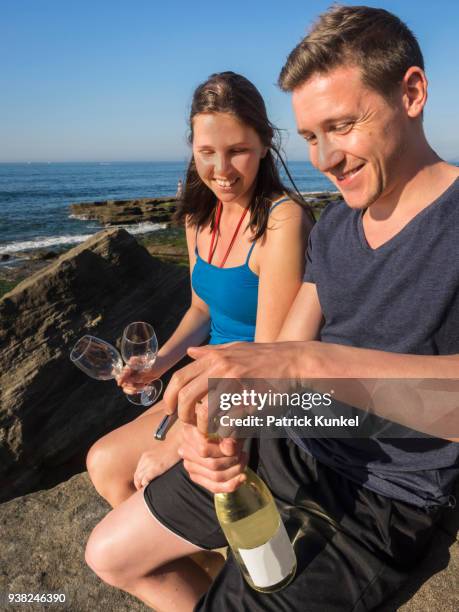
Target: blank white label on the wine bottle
(270, 563)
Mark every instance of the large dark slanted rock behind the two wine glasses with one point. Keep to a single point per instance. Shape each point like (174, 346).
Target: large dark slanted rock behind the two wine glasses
(50, 412)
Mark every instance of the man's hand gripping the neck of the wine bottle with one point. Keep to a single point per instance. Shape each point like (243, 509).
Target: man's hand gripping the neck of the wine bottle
(217, 465)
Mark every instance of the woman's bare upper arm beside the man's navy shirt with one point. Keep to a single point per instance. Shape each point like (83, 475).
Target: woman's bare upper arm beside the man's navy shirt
(281, 266)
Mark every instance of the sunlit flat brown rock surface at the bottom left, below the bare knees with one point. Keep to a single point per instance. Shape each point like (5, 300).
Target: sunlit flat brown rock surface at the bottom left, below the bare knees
(43, 537)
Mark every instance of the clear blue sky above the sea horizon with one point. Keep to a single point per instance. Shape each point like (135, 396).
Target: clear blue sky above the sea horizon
(106, 80)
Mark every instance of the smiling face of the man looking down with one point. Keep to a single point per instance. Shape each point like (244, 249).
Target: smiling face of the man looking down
(355, 137)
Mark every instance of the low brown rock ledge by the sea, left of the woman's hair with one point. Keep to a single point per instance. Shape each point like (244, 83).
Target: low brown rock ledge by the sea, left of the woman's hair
(116, 212)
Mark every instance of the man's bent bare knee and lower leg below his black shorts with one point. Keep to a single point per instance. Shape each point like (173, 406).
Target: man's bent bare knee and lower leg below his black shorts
(131, 550)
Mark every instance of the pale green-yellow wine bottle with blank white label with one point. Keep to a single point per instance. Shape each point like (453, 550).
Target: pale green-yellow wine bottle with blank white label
(257, 536)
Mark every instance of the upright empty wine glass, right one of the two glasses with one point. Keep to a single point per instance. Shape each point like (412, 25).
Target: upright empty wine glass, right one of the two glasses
(139, 348)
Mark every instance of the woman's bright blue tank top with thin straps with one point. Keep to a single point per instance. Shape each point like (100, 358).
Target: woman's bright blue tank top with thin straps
(231, 295)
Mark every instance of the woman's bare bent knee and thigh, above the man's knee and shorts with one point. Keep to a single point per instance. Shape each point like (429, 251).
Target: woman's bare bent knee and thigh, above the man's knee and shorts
(112, 460)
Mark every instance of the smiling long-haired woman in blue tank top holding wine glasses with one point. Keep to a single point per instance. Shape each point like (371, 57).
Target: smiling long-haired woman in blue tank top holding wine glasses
(246, 242)
